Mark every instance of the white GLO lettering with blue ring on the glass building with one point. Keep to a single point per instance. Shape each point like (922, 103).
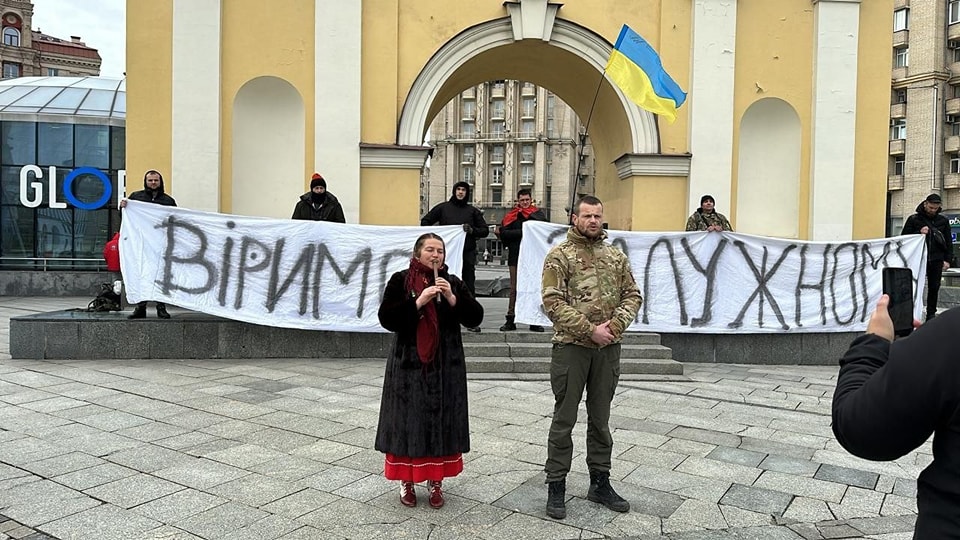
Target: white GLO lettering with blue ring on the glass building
(34, 187)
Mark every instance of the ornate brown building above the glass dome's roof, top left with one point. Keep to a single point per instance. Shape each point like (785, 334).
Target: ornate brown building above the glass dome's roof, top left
(25, 52)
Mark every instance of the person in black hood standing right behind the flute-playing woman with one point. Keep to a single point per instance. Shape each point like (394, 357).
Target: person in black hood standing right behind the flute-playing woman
(459, 211)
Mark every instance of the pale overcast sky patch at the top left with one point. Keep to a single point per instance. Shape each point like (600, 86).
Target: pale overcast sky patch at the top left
(99, 23)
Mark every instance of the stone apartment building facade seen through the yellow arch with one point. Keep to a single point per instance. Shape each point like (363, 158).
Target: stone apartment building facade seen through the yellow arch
(502, 136)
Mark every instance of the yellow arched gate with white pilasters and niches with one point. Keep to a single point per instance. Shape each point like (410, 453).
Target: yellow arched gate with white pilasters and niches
(785, 124)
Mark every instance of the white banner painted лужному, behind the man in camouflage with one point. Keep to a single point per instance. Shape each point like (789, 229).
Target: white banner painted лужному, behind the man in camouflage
(736, 283)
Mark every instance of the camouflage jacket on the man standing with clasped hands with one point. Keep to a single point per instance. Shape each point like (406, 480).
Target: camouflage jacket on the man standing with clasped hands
(585, 283)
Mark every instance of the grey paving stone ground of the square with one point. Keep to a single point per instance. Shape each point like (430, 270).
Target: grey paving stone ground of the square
(283, 449)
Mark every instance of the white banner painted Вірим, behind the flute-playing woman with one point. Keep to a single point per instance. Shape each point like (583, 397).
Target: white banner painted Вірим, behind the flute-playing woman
(287, 273)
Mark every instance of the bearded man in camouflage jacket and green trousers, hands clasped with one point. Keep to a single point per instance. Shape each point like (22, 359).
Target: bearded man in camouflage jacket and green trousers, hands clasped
(590, 295)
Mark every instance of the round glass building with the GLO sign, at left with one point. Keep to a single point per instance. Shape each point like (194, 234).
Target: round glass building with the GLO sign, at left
(62, 147)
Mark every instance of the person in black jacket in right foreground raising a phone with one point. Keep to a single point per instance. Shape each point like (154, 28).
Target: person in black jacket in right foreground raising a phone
(892, 396)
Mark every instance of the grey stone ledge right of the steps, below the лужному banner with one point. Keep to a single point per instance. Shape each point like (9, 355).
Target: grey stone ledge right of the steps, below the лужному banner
(766, 349)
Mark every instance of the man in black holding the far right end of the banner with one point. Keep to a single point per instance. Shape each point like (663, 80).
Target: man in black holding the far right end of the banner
(928, 221)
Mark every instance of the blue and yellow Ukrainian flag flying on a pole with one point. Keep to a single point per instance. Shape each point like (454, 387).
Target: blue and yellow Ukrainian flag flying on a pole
(635, 67)
